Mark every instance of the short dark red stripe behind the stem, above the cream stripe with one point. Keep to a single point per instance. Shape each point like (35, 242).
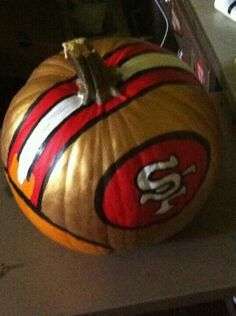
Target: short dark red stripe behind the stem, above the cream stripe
(124, 53)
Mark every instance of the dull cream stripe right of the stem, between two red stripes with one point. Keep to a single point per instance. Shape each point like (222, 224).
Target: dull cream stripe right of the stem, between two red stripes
(148, 61)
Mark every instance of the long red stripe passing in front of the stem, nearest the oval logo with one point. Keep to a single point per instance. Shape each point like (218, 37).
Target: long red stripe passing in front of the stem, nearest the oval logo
(79, 122)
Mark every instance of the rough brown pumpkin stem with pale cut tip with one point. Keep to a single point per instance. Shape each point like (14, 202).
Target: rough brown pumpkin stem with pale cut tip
(96, 82)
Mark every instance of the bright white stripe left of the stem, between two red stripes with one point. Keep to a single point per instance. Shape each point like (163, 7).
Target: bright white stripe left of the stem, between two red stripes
(48, 123)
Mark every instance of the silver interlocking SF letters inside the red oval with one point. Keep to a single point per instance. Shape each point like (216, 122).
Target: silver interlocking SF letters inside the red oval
(164, 189)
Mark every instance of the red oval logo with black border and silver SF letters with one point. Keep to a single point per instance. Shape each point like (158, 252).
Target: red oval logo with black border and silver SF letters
(154, 181)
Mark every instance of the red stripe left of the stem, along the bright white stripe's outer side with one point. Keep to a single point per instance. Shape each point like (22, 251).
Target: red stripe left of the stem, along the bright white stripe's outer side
(39, 108)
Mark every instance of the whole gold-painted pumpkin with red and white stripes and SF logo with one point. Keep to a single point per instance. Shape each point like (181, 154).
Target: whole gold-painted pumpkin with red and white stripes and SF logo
(113, 147)
